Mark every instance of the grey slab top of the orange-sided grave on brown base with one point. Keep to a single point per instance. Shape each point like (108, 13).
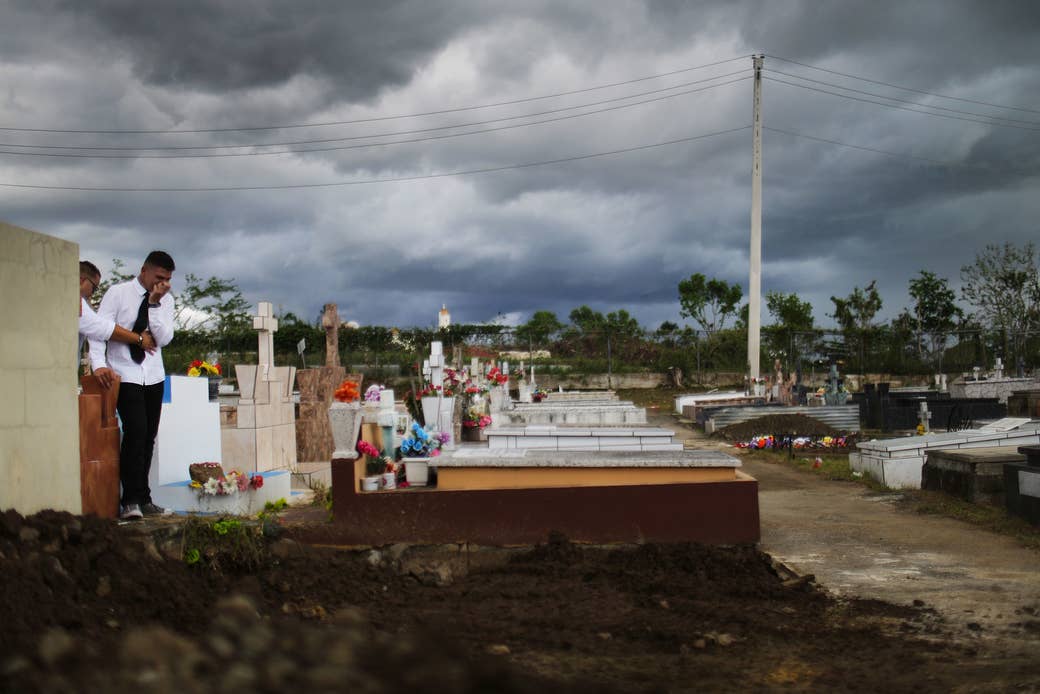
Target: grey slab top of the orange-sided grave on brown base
(526, 458)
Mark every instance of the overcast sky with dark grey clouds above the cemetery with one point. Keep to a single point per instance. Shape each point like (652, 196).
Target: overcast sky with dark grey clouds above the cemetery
(613, 232)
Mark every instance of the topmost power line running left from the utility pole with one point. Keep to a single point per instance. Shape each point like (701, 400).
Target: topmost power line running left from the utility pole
(379, 118)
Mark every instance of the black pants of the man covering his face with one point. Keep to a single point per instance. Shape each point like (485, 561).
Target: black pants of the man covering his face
(140, 408)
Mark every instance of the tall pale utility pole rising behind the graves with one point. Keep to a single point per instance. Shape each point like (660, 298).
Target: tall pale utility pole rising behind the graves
(756, 274)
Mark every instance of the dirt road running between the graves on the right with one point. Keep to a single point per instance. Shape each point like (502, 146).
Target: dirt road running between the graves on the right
(859, 543)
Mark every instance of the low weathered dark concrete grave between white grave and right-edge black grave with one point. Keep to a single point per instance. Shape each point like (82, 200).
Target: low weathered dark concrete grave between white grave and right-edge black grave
(975, 475)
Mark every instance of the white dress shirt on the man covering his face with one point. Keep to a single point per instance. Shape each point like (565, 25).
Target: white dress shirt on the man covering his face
(121, 304)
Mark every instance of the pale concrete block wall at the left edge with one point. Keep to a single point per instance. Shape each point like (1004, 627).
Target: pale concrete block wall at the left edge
(39, 409)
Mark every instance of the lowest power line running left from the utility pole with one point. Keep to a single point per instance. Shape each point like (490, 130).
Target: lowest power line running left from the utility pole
(399, 179)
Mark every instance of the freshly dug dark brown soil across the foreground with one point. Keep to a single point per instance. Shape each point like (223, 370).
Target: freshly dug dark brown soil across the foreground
(94, 606)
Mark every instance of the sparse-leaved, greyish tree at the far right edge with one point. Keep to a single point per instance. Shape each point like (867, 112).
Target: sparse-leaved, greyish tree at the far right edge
(1004, 286)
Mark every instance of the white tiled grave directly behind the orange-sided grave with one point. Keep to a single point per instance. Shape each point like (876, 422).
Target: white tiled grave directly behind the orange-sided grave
(550, 438)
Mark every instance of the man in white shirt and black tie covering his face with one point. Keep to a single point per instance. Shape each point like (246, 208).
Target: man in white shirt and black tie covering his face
(141, 304)
